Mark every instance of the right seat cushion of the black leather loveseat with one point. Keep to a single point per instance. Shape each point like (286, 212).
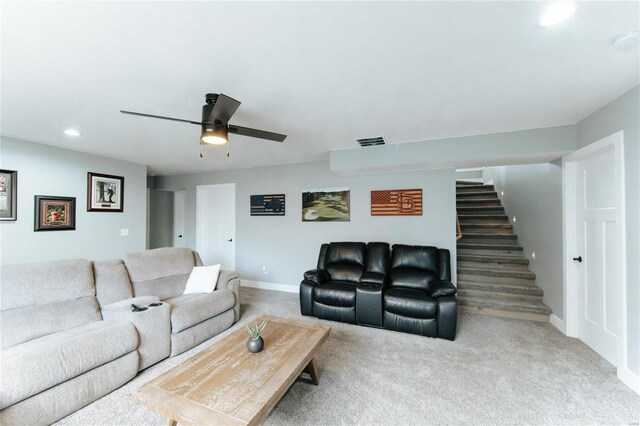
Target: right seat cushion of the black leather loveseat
(410, 302)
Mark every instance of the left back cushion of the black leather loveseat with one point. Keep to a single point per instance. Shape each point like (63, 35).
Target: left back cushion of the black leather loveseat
(345, 261)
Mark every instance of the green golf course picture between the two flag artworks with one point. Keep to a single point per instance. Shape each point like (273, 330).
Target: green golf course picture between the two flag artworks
(326, 205)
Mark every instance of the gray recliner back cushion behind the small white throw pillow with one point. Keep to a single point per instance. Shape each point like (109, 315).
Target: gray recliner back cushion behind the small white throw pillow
(160, 272)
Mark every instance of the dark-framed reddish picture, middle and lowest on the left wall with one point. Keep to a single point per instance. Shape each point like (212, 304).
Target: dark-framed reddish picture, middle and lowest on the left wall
(55, 213)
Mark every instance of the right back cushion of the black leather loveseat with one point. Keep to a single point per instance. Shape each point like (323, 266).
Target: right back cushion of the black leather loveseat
(414, 266)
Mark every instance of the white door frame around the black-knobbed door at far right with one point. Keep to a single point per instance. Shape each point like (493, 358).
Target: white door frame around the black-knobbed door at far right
(570, 225)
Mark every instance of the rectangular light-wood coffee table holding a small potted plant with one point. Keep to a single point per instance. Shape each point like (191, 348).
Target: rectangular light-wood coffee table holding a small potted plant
(226, 384)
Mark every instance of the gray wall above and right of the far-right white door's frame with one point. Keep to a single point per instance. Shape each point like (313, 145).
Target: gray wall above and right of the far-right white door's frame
(624, 114)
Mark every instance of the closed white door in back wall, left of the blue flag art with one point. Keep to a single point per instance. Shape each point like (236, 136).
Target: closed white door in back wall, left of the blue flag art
(216, 224)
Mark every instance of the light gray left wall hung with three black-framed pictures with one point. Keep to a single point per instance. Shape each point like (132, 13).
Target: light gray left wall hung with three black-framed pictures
(46, 170)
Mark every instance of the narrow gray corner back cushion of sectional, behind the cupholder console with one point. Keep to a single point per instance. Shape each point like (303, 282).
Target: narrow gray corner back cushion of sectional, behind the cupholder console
(112, 281)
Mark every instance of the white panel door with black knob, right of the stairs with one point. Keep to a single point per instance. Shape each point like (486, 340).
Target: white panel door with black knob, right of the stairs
(597, 263)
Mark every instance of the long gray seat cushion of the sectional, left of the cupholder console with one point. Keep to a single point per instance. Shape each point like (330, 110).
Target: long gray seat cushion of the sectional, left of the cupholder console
(45, 362)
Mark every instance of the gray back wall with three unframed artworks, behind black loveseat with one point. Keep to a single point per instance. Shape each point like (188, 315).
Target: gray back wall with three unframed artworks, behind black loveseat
(288, 246)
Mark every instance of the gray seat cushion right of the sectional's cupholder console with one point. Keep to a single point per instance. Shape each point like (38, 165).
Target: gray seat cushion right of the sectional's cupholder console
(188, 310)
